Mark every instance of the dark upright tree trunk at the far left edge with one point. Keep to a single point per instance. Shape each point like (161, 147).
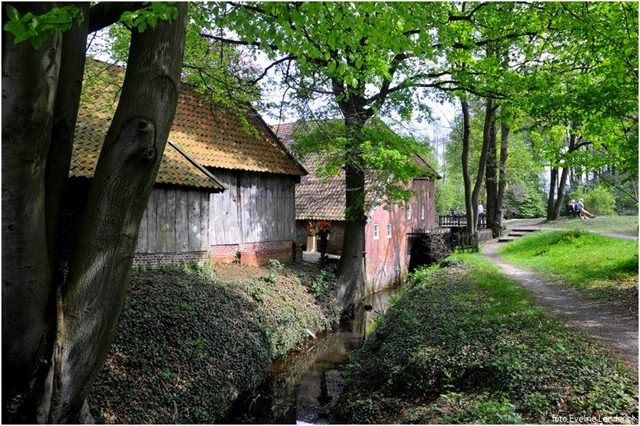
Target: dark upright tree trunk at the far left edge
(29, 82)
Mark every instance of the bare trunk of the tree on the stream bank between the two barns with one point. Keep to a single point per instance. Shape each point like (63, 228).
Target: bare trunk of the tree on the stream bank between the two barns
(351, 268)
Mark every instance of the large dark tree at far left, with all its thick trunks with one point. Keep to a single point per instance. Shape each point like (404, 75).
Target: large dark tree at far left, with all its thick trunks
(62, 299)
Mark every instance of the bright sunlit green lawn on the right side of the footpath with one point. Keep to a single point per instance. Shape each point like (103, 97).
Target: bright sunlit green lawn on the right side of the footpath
(602, 268)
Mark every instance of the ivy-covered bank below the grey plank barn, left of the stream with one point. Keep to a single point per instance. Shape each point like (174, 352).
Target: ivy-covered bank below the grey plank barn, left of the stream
(190, 340)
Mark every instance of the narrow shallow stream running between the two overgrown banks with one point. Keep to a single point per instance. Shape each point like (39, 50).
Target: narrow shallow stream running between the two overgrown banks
(303, 386)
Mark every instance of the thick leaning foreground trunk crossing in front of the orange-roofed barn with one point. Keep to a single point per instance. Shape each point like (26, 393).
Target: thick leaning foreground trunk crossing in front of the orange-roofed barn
(93, 295)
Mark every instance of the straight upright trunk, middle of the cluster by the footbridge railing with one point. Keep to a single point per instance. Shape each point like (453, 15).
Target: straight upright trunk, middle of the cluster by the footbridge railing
(491, 173)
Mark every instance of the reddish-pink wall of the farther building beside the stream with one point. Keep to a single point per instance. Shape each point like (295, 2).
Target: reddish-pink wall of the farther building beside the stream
(387, 258)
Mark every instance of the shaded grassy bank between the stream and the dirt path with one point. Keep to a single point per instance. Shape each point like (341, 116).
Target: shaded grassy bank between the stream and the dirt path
(465, 344)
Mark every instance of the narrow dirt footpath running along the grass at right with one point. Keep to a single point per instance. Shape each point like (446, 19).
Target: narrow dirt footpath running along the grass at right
(617, 329)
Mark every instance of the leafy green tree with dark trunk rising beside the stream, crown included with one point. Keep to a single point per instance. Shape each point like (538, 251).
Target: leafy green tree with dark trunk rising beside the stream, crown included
(338, 52)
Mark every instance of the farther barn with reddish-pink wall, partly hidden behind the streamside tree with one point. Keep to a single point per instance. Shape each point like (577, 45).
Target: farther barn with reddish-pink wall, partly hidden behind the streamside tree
(387, 246)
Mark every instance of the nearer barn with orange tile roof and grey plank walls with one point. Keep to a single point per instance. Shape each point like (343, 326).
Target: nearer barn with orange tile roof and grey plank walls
(225, 189)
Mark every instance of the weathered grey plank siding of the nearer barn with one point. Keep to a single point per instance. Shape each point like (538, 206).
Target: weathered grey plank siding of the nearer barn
(255, 207)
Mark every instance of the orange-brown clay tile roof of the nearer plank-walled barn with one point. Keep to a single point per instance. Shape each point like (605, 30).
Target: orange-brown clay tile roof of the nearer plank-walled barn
(201, 135)
